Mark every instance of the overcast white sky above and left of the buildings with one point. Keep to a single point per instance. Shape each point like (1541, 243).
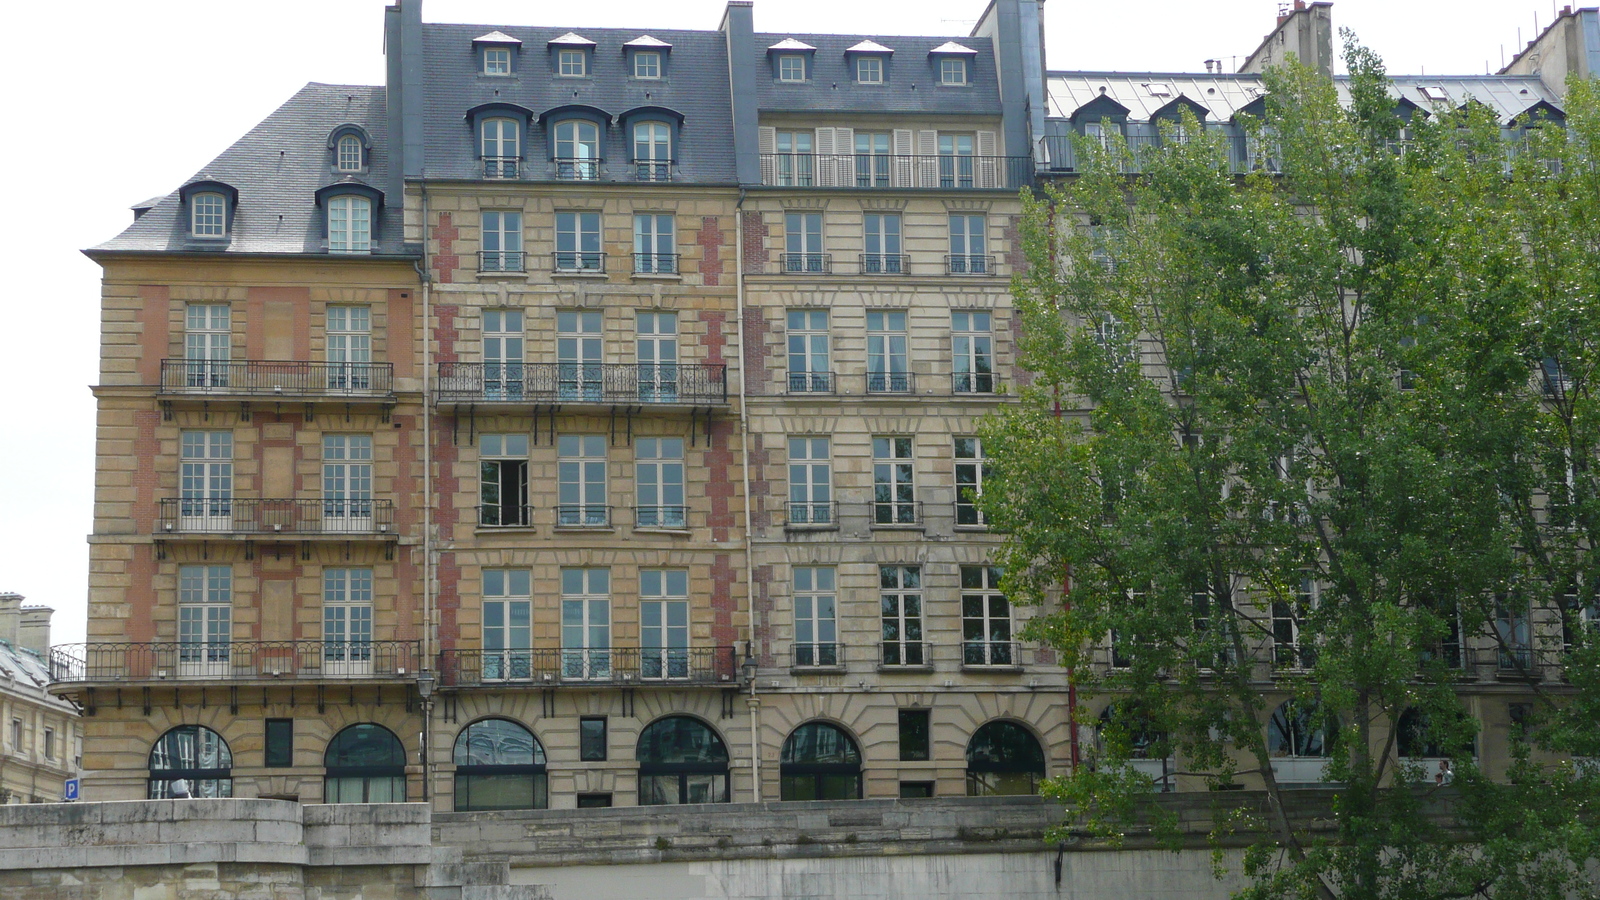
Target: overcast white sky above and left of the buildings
(113, 102)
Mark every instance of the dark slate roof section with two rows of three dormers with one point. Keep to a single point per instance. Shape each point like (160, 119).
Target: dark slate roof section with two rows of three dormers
(695, 86)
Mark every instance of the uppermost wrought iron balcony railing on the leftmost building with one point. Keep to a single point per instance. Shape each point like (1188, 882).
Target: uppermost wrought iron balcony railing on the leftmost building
(273, 379)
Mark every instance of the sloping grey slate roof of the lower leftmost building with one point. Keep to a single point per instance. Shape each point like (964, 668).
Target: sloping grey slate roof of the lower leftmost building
(278, 169)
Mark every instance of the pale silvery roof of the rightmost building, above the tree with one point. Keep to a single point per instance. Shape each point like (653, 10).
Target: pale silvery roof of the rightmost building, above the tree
(1225, 95)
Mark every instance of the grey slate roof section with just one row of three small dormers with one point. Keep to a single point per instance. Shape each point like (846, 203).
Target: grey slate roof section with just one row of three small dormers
(911, 79)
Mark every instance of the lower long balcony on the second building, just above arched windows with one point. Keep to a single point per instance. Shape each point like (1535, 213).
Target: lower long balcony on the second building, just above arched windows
(546, 667)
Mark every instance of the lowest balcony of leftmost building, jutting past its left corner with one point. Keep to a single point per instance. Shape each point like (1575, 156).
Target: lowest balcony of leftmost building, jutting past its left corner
(234, 662)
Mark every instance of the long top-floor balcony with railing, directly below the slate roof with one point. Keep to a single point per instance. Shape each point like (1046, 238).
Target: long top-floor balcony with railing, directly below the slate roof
(887, 172)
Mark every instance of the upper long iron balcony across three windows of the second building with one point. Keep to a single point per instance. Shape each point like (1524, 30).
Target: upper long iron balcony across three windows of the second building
(569, 384)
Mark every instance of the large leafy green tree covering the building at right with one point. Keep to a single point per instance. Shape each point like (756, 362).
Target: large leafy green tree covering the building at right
(1316, 448)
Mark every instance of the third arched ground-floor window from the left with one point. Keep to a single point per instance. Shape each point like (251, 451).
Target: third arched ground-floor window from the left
(500, 765)
